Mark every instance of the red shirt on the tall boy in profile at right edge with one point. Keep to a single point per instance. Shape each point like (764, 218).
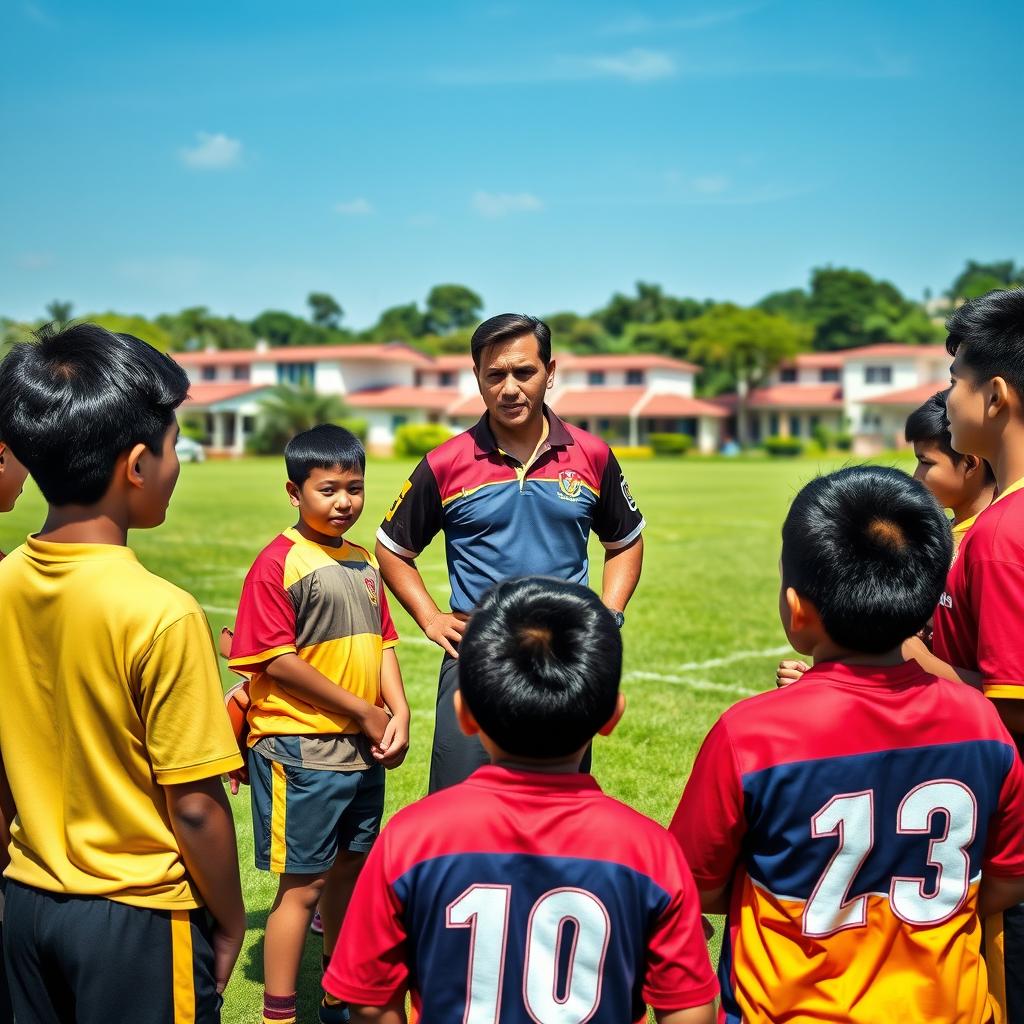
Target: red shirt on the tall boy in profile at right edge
(978, 623)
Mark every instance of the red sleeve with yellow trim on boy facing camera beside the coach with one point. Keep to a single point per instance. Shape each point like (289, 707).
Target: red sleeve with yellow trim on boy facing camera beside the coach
(265, 628)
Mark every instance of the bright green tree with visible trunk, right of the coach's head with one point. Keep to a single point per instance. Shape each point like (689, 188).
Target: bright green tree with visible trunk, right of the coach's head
(747, 345)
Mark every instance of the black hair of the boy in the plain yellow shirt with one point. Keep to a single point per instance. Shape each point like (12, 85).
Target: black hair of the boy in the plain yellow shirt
(76, 398)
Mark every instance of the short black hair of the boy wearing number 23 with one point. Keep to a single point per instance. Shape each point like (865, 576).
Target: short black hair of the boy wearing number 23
(870, 548)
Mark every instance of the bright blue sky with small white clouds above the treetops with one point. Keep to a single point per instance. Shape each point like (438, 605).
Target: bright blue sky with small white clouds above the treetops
(241, 155)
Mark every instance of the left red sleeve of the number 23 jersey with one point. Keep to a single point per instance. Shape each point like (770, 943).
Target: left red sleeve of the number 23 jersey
(709, 824)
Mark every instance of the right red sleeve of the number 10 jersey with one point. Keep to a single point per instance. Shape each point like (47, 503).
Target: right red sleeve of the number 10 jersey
(679, 974)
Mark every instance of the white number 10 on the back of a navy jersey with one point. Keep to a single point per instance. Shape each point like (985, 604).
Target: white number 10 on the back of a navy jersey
(485, 911)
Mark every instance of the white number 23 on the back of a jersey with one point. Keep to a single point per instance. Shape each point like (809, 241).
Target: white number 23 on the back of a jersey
(851, 818)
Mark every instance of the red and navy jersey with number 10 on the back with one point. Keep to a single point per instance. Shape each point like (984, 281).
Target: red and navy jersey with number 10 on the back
(521, 897)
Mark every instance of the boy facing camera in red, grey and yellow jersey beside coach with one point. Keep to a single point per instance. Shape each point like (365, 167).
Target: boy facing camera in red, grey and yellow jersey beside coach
(328, 709)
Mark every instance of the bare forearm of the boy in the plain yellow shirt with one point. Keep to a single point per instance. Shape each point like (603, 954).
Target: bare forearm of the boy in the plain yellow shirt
(205, 831)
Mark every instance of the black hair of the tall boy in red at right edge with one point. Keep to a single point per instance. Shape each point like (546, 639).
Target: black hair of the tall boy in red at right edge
(992, 329)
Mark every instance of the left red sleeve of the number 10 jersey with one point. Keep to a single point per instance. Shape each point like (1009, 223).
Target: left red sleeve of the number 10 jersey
(370, 964)
